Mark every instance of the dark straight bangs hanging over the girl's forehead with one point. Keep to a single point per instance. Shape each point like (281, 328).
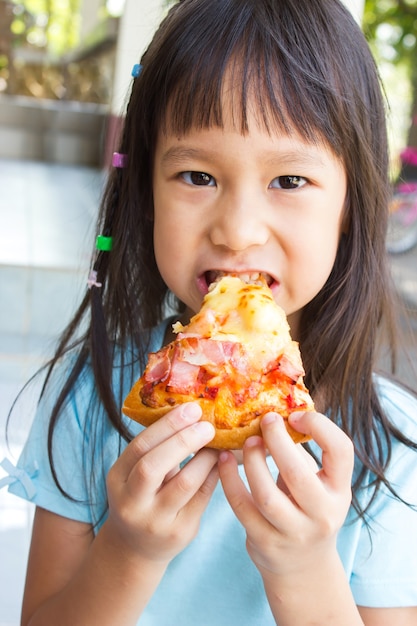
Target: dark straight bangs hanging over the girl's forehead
(260, 68)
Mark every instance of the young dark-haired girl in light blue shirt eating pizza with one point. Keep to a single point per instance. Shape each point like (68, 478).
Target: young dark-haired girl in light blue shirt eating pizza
(254, 141)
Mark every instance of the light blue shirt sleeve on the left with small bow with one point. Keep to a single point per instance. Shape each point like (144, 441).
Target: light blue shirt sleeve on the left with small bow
(85, 444)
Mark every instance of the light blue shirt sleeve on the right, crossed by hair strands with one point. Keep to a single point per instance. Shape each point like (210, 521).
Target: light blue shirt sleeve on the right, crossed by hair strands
(385, 565)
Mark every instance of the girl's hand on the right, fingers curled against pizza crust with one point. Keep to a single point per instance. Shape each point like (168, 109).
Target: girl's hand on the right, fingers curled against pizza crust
(291, 524)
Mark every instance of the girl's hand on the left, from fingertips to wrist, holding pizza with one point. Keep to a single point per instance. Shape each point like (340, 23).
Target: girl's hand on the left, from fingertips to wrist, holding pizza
(154, 506)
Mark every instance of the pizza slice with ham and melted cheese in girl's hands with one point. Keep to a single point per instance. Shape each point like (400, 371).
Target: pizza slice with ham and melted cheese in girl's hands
(235, 358)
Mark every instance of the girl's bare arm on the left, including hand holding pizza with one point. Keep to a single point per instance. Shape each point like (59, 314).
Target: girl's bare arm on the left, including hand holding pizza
(154, 512)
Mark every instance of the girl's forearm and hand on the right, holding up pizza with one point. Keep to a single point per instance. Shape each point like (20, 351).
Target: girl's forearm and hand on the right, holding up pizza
(292, 527)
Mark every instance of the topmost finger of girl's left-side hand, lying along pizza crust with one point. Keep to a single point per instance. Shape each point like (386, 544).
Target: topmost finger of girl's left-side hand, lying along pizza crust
(164, 428)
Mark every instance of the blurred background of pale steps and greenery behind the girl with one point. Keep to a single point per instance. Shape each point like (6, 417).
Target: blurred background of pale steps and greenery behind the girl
(65, 69)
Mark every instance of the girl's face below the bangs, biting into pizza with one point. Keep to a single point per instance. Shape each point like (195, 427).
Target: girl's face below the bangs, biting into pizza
(233, 203)
